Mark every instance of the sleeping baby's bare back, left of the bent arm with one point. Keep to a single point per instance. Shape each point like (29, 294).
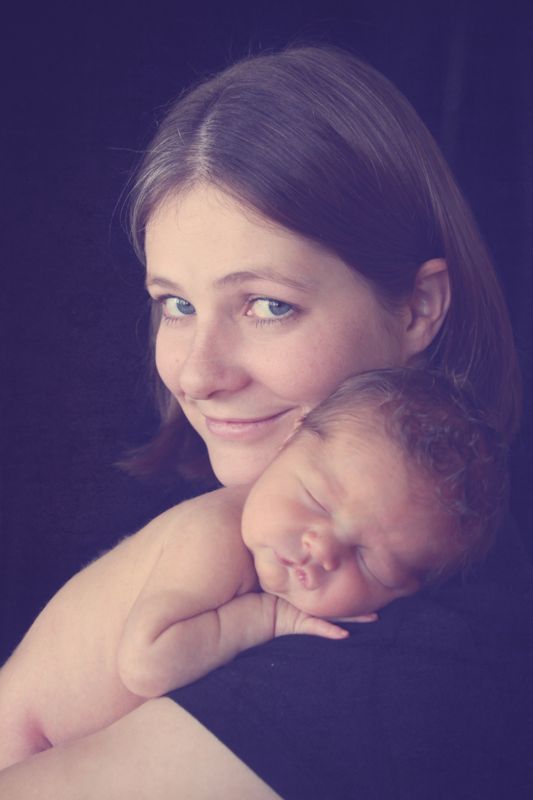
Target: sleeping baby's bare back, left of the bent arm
(62, 679)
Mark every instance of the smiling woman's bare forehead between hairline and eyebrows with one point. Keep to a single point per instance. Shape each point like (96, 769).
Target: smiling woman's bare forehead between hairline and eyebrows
(207, 229)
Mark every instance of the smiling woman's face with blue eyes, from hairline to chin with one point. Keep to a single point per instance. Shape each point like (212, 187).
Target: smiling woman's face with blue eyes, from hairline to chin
(258, 325)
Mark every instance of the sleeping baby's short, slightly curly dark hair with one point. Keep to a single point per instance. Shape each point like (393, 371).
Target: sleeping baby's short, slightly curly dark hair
(442, 435)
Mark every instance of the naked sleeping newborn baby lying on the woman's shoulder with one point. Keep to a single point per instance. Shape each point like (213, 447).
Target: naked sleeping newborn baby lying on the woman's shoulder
(387, 486)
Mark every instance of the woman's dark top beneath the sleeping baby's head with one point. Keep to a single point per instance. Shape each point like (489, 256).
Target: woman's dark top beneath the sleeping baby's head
(435, 700)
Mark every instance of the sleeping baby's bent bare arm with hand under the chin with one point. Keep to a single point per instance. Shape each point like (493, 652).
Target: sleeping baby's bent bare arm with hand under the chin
(199, 607)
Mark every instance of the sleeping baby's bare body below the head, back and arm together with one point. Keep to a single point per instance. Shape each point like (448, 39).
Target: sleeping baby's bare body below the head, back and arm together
(164, 607)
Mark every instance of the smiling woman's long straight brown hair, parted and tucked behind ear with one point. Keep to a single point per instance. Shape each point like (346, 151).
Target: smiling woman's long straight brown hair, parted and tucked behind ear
(322, 144)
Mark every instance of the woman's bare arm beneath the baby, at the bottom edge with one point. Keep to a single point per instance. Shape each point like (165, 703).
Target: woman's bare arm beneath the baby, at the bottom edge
(157, 751)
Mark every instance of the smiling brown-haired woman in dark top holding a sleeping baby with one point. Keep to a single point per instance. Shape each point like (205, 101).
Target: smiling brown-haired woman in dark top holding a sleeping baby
(299, 225)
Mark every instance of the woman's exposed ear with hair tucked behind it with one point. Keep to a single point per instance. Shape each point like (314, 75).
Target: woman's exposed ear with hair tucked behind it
(427, 306)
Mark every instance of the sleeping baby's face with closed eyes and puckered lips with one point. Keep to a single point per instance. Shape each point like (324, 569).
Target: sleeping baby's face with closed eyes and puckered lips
(334, 527)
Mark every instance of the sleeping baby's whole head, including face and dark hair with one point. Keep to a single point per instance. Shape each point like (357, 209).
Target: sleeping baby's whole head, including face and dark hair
(390, 484)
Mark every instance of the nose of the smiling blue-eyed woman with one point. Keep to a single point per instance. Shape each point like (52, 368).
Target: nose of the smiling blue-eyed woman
(210, 364)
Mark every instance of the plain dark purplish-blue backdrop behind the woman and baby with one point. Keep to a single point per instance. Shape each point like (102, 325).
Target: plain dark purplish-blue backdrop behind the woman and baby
(83, 89)
